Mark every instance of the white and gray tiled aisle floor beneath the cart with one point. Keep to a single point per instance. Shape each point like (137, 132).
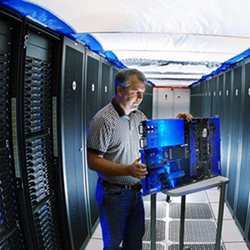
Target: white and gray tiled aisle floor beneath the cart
(201, 214)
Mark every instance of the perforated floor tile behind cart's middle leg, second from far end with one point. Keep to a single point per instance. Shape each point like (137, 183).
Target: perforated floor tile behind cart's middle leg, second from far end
(195, 231)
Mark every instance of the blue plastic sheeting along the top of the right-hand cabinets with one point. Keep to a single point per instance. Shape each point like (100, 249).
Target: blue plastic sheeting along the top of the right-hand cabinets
(226, 65)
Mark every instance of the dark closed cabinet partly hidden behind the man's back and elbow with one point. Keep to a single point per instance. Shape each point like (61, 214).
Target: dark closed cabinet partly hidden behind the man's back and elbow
(93, 104)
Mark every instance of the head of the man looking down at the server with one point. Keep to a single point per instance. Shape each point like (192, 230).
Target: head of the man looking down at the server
(130, 88)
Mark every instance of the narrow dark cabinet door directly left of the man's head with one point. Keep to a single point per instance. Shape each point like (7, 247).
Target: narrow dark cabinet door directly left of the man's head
(105, 85)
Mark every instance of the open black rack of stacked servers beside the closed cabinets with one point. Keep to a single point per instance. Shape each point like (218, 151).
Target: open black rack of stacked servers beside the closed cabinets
(35, 133)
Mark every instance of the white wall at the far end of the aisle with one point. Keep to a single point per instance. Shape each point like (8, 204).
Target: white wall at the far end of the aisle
(168, 102)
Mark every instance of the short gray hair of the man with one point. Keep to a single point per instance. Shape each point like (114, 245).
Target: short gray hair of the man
(122, 77)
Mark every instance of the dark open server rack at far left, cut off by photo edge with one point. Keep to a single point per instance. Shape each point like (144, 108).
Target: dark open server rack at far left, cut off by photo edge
(11, 236)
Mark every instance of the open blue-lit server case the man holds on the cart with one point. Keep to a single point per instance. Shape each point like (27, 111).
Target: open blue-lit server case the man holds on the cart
(178, 153)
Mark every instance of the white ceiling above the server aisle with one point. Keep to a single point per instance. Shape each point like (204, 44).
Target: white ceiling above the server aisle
(173, 42)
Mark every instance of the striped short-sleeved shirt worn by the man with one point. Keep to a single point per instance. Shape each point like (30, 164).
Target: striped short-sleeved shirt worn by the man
(116, 136)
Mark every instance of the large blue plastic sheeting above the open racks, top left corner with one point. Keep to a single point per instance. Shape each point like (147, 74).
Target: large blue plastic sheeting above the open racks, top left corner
(39, 15)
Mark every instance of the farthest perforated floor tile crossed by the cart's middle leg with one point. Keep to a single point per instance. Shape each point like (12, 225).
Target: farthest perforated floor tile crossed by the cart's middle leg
(192, 211)
